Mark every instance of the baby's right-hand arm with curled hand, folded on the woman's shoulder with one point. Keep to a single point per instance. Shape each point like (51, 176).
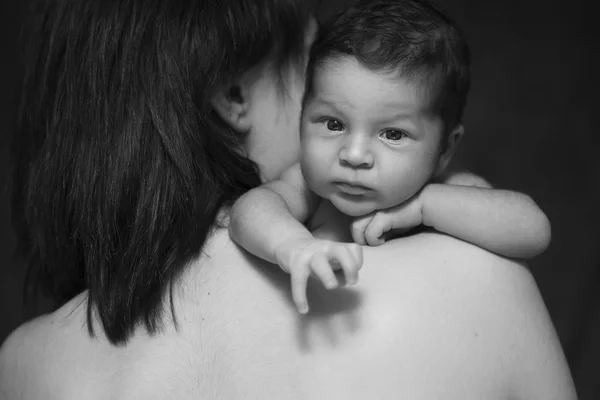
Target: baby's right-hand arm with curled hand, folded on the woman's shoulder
(505, 222)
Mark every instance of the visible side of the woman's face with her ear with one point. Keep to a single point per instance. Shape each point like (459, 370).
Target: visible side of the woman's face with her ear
(267, 110)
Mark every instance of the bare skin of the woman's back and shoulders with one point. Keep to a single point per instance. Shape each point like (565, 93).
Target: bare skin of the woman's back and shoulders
(456, 322)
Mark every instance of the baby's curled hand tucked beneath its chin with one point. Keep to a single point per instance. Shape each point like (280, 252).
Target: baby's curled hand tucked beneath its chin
(370, 229)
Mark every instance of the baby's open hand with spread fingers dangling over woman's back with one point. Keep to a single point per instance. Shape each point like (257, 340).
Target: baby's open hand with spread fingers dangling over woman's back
(301, 258)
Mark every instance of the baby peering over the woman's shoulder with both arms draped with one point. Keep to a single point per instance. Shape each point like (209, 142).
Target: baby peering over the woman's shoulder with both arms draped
(386, 87)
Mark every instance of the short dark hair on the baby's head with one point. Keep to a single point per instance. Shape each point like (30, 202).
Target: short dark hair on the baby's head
(410, 37)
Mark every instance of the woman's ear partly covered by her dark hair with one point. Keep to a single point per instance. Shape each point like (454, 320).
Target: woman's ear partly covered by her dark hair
(232, 104)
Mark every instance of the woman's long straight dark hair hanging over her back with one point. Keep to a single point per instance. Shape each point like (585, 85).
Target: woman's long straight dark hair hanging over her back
(123, 152)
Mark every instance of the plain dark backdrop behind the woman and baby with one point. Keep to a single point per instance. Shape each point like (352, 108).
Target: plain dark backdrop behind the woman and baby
(529, 128)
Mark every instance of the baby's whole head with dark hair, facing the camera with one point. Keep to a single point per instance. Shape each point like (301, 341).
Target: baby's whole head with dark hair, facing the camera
(386, 88)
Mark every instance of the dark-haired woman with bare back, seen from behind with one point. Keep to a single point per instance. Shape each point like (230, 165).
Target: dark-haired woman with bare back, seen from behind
(141, 122)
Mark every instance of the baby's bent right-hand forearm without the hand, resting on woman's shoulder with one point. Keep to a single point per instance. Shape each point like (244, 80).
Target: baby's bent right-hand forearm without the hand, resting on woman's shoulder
(505, 222)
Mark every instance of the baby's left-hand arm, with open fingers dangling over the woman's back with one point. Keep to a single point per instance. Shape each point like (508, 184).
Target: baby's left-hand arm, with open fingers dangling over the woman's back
(268, 222)
